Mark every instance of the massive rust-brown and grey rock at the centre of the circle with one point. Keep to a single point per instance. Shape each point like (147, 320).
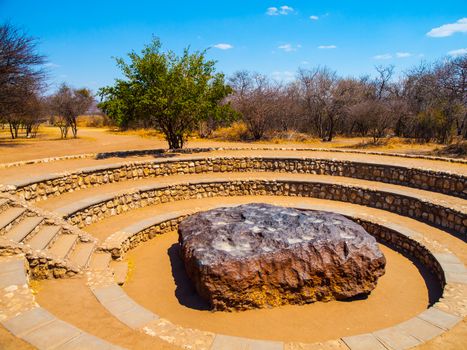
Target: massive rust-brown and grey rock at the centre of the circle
(259, 255)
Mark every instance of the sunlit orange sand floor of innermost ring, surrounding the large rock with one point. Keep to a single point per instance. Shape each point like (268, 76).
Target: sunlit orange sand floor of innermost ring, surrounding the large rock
(159, 283)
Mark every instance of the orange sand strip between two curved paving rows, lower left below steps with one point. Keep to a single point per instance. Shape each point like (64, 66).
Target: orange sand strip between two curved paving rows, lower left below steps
(80, 301)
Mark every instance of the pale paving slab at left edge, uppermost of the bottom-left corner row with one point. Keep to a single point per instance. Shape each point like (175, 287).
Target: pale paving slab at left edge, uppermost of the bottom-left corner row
(28, 321)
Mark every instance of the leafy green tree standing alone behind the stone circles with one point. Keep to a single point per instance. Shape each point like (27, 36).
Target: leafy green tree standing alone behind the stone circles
(168, 92)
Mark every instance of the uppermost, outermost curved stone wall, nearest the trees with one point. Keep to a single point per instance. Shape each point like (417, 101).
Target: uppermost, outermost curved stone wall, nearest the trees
(451, 184)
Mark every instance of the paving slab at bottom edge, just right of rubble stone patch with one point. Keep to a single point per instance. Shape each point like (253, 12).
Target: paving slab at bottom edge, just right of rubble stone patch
(226, 342)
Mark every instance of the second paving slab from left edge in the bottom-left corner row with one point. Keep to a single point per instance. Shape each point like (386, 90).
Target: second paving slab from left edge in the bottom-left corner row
(51, 334)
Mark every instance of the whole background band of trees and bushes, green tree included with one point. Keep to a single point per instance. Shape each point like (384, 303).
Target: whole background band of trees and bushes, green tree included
(182, 95)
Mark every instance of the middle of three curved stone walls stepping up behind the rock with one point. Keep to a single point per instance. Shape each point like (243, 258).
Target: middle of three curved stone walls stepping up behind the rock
(433, 214)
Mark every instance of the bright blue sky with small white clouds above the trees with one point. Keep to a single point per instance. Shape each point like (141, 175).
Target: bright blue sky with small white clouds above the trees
(269, 36)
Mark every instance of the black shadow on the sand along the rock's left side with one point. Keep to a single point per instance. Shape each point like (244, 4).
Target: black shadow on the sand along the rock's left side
(185, 291)
